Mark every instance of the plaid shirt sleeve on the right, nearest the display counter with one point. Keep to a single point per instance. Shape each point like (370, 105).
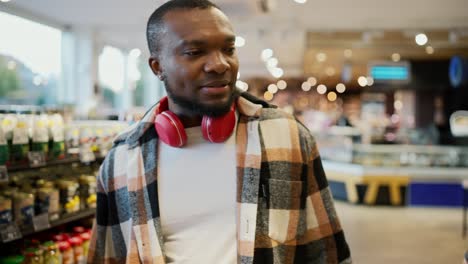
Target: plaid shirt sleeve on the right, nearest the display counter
(324, 240)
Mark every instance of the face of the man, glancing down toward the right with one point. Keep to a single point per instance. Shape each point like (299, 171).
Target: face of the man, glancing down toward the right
(198, 62)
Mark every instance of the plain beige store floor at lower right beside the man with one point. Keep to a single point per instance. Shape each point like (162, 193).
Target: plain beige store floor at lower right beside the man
(403, 235)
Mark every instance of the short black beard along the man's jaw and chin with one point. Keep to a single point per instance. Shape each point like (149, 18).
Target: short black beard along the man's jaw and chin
(197, 107)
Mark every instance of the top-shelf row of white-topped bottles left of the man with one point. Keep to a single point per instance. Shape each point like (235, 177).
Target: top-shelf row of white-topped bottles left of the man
(22, 132)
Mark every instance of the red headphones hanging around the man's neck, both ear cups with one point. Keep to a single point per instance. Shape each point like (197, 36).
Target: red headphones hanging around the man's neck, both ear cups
(172, 132)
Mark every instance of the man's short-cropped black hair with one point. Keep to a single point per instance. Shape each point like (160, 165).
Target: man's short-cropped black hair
(155, 24)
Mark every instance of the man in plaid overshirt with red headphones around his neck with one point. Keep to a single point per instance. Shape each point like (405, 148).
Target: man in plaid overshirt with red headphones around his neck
(211, 175)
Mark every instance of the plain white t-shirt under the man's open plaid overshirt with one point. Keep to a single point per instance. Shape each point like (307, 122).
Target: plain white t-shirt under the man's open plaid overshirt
(197, 200)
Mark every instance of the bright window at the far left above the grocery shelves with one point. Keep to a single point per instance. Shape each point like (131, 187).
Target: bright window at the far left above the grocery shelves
(30, 61)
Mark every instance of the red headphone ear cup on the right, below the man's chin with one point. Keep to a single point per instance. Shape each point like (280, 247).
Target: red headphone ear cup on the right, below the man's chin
(218, 129)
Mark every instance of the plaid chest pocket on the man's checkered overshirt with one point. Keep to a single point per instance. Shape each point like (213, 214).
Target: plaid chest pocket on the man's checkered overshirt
(286, 214)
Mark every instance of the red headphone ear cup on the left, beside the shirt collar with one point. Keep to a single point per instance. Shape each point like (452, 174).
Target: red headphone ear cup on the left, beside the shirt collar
(170, 129)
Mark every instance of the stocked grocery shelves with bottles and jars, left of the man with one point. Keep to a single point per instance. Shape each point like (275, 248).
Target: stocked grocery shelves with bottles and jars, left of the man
(48, 184)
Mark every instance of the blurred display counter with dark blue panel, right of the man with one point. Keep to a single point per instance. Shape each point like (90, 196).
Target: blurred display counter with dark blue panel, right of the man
(393, 174)
